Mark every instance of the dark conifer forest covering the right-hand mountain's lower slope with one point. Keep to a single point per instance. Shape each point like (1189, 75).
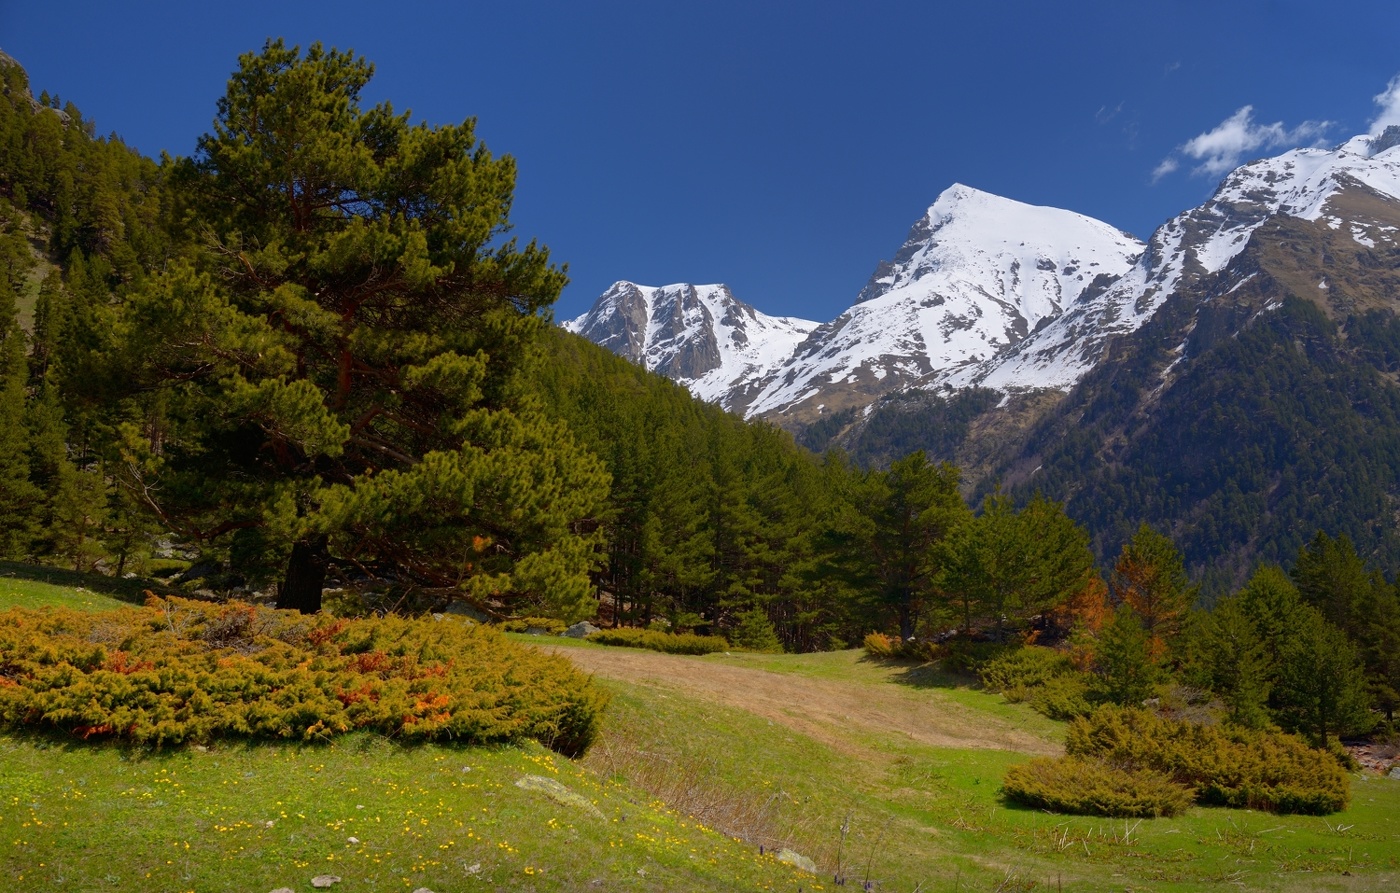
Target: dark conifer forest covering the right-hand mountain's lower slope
(1268, 436)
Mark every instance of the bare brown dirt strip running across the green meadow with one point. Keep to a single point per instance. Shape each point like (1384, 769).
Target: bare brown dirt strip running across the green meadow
(843, 715)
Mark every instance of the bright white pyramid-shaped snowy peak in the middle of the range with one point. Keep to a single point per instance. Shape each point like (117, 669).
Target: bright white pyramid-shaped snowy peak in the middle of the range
(976, 276)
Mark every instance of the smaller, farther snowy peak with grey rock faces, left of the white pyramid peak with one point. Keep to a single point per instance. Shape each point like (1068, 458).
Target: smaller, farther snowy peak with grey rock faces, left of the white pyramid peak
(701, 337)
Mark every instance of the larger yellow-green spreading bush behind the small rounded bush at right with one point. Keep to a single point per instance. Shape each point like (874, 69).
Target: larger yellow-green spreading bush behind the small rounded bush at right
(1226, 766)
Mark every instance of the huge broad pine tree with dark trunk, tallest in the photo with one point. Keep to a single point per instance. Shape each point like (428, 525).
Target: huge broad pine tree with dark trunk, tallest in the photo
(332, 374)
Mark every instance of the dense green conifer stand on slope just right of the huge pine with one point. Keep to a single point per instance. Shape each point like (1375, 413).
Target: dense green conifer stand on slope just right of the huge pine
(708, 517)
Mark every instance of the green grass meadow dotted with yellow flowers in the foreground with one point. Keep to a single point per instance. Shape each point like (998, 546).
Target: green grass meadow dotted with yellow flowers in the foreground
(659, 804)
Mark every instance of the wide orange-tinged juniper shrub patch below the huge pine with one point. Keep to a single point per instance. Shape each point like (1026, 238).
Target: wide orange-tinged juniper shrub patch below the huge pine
(181, 671)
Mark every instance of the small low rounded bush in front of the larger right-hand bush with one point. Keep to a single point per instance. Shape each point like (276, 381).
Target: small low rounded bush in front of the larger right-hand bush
(1095, 789)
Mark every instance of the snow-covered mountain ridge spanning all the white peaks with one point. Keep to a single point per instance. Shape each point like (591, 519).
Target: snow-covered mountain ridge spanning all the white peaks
(993, 293)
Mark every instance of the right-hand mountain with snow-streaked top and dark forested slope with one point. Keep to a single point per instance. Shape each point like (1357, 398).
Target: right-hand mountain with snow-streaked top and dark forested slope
(1258, 402)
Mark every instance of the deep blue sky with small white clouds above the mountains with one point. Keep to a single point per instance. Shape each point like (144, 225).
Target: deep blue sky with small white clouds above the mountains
(779, 148)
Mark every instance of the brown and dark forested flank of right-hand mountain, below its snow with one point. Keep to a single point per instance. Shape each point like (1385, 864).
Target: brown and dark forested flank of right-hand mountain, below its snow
(1256, 408)
